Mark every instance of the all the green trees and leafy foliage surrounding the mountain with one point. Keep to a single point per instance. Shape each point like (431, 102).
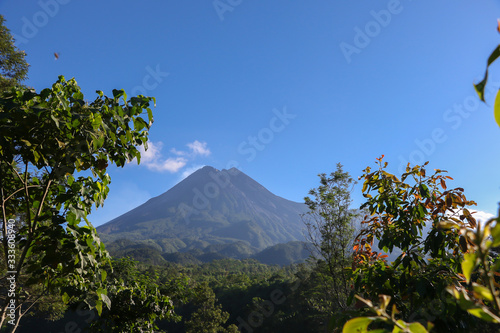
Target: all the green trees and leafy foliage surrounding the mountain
(413, 258)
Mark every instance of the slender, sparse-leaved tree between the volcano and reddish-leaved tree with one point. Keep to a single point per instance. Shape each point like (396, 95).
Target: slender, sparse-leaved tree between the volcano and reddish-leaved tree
(330, 229)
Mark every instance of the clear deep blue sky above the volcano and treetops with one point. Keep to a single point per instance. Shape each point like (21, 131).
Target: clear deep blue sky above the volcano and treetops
(283, 90)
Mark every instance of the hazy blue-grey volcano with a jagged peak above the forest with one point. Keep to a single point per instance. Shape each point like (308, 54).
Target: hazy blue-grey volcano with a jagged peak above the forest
(211, 208)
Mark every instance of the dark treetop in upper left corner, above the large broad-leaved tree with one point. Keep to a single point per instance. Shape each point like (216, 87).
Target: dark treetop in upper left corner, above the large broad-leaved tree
(13, 66)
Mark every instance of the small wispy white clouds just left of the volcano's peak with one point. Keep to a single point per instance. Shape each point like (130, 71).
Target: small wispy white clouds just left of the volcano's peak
(153, 159)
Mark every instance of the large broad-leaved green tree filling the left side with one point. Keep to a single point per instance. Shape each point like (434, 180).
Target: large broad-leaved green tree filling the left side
(54, 152)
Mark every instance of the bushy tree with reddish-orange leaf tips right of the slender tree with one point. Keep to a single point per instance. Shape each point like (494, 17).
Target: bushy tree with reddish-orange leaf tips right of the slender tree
(408, 215)
